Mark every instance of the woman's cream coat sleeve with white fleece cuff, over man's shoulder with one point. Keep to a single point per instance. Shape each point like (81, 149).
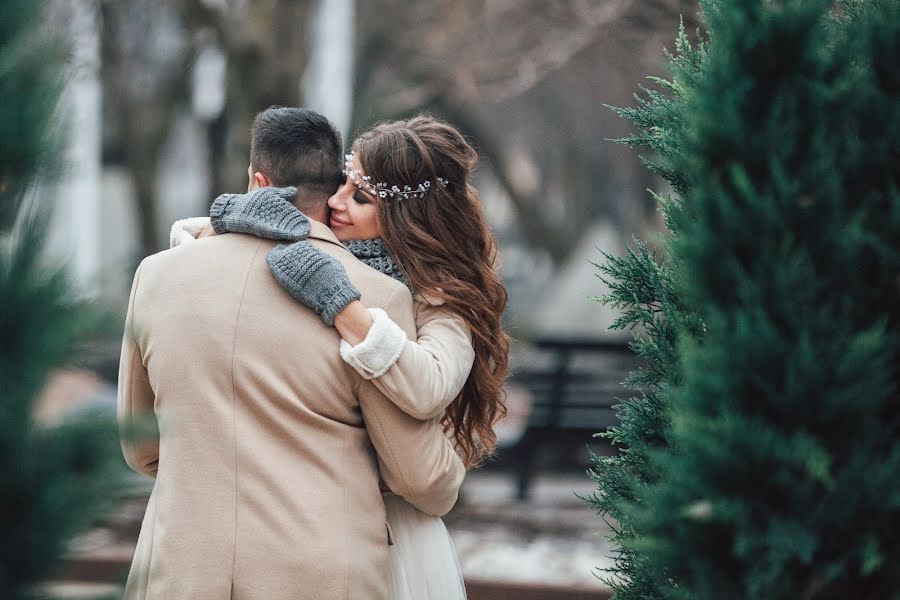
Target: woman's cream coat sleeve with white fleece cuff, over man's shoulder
(421, 377)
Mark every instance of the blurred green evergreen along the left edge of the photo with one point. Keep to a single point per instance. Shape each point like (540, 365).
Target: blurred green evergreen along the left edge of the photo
(55, 480)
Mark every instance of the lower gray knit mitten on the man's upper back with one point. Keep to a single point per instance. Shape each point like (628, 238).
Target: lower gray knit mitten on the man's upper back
(314, 278)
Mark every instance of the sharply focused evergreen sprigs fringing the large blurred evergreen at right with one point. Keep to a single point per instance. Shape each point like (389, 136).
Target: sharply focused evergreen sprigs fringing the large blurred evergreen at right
(642, 286)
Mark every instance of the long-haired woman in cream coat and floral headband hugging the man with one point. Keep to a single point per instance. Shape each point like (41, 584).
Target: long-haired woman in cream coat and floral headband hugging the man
(407, 209)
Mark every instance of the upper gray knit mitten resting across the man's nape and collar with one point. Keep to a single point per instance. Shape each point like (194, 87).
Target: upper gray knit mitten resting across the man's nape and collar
(265, 212)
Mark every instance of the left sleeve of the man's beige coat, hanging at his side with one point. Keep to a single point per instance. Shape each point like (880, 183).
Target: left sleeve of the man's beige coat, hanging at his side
(136, 399)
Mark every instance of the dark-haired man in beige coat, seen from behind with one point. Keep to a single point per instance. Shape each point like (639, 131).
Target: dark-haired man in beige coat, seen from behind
(271, 447)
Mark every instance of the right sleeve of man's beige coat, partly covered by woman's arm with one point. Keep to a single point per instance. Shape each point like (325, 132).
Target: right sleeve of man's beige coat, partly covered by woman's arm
(417, 461)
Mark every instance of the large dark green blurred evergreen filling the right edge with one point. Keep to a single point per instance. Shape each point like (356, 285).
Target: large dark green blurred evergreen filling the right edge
(781, 473)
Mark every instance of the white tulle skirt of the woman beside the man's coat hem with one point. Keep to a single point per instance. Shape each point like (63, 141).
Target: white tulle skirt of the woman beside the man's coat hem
(424, 565)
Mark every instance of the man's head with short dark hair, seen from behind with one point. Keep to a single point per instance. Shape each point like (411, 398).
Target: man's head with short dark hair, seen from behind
(299, 147)
